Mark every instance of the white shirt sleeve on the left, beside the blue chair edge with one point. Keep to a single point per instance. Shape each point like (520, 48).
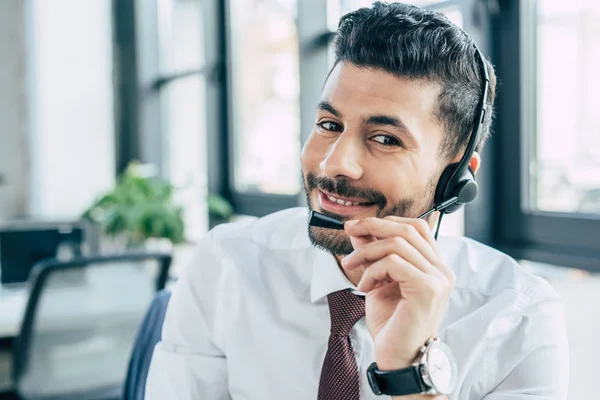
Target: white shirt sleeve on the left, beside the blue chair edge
(189, 362)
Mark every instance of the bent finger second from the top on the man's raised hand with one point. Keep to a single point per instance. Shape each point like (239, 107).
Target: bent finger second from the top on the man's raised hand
(377, 250)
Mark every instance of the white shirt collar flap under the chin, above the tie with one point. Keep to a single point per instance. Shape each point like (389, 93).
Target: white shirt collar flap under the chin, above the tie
(327, 277)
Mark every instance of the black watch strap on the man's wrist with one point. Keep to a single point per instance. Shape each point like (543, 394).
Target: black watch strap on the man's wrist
(399, 382)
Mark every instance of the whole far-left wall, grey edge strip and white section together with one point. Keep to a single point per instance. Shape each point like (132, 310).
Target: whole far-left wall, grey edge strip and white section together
(57, 138)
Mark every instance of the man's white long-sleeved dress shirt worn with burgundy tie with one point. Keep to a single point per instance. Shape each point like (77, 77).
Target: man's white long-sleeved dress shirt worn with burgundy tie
(249, 320)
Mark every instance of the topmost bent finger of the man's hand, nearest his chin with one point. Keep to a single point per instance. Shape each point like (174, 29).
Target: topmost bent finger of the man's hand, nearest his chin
(411, 231)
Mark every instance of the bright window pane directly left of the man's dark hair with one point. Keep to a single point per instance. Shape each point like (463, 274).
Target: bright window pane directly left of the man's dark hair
(264, 100)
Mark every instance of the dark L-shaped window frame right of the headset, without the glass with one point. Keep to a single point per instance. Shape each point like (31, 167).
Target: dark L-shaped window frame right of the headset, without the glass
(524, 234)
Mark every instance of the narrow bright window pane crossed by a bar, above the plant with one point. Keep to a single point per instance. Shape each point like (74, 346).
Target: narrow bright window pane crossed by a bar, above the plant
(182, 107)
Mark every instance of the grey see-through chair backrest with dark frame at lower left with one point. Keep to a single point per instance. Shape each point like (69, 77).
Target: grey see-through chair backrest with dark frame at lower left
(81, 320)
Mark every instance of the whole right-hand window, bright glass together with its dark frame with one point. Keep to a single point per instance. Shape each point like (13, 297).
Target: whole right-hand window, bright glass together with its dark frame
(547, 132)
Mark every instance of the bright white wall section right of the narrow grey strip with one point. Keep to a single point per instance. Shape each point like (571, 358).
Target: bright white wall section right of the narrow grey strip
(71, 122)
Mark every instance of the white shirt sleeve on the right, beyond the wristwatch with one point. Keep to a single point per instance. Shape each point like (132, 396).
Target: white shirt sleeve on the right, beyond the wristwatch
(533, 363)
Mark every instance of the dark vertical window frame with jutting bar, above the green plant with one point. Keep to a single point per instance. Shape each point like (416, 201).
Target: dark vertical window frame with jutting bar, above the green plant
(139, 83)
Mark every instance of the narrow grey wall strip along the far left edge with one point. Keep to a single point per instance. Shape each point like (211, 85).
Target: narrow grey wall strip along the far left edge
(13, 111)
